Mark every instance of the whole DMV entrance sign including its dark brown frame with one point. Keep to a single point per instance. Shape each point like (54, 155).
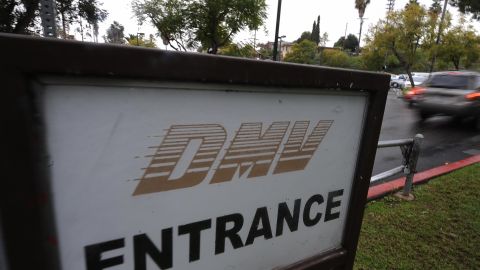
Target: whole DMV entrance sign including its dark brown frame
(189, 161)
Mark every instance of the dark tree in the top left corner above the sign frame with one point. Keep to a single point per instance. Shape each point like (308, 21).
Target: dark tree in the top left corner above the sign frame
(18, 16)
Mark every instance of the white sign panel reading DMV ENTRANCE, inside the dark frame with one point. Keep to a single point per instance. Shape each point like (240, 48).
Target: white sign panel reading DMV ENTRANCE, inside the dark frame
(182, 177)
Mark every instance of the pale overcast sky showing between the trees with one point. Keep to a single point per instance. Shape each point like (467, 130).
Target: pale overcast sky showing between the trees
(296, 16)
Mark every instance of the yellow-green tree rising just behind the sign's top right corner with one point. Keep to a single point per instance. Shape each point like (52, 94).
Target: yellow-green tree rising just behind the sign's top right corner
(401, 37)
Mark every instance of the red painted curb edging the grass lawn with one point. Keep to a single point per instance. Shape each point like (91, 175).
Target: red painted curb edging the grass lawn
(394, 185)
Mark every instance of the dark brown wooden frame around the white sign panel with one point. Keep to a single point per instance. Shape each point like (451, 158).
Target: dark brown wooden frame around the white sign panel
(26, 215)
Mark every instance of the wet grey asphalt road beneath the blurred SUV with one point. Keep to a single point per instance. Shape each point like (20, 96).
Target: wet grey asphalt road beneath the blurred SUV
(445, 140)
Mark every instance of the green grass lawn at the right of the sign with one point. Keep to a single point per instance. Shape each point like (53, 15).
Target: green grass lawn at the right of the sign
(440, 229)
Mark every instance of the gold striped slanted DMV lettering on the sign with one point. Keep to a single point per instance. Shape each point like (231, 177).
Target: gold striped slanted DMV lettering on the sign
(249, 149)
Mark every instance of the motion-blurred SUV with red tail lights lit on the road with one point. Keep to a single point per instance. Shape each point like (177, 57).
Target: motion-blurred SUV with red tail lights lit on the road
(448, 93)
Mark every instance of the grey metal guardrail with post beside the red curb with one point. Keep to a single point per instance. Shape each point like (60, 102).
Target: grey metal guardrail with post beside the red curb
(410, 151)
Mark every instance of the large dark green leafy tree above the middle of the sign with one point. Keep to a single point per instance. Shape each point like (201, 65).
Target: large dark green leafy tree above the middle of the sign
(209, 24)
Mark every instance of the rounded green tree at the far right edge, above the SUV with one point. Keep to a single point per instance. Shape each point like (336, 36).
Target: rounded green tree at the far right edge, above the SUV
(460, 44)
